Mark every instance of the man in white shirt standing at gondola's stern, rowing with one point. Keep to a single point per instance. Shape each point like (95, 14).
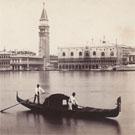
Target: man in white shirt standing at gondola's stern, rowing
(38, 91)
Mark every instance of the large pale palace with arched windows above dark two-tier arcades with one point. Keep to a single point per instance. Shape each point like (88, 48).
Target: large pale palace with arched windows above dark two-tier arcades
(103, 57)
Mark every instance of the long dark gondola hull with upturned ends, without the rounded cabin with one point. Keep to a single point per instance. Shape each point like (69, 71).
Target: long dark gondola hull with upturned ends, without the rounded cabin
(64, 111)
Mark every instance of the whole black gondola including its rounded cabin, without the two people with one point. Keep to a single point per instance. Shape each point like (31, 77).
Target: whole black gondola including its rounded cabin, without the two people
(57, 104)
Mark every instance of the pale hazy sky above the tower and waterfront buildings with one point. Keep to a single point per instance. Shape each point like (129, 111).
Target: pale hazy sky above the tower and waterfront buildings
(72, 22)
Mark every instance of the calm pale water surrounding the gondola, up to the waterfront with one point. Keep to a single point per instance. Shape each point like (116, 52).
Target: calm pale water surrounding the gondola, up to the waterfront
(97, 89)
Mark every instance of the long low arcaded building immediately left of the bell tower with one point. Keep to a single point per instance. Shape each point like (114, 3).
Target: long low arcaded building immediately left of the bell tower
(25, 60)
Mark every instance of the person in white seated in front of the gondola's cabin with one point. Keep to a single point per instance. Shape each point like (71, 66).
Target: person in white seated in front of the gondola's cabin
(72, 102)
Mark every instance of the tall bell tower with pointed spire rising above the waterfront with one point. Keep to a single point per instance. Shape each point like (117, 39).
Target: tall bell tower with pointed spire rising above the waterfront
(44, 50)
